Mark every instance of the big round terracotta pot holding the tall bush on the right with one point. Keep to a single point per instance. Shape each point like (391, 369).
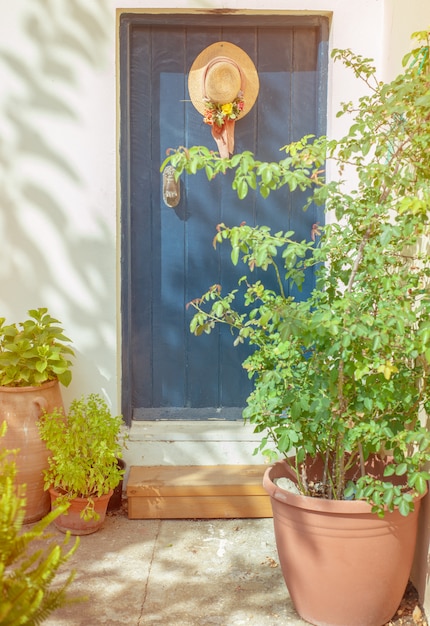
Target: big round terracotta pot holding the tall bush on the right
(342, 564)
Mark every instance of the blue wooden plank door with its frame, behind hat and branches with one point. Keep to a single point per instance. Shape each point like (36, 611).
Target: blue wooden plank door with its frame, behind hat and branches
(167, 253)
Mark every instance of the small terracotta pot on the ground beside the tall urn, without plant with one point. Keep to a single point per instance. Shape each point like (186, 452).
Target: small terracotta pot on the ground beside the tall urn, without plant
(72, 520)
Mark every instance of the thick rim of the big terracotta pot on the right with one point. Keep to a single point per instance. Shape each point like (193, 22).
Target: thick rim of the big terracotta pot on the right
(321, 505)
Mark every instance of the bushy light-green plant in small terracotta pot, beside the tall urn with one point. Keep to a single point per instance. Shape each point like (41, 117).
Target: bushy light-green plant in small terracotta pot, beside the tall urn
(85, 446)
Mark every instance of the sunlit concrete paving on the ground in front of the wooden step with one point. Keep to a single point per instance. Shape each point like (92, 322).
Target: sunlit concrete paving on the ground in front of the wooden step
(177, 573)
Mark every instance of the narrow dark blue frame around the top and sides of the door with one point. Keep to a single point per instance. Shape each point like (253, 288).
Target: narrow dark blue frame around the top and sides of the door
(127, 22)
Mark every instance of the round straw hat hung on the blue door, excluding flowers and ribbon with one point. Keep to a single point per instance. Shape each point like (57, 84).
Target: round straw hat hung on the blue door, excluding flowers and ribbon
(219, 73)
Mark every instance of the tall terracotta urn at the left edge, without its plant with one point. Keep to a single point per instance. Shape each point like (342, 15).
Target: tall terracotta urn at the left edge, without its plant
(21, 407)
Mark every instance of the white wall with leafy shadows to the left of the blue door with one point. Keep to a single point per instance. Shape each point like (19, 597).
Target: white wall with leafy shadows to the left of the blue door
(58, 248)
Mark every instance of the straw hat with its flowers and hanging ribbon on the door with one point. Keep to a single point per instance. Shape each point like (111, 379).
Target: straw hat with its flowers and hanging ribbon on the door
(223, 85)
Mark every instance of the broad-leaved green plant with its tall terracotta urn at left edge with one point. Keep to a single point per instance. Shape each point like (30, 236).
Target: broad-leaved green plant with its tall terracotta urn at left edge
(34, 360)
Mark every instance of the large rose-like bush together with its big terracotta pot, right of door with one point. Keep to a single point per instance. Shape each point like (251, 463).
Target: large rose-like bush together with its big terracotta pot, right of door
(341, 379)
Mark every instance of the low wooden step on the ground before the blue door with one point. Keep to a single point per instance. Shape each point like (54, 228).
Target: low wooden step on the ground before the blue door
(197, 492)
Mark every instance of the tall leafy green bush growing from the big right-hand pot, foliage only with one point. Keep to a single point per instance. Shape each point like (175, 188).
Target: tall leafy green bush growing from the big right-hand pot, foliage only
(344, 374)
